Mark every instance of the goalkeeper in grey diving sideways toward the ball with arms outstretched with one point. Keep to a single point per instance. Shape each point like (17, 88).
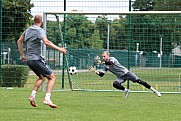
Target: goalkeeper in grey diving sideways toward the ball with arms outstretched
(111, 64)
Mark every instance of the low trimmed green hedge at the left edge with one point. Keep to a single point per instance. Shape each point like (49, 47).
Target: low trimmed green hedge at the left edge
(14, 75)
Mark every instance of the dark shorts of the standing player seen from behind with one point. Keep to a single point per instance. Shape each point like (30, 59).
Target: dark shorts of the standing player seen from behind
(39, 67)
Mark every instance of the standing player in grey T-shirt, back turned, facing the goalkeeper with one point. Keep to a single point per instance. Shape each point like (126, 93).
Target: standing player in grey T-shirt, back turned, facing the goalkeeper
(29, 46)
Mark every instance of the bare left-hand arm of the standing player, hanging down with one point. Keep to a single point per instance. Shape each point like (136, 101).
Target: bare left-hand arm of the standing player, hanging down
(20, 47)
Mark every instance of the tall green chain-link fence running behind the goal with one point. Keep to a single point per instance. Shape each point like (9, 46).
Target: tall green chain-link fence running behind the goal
(141, 42)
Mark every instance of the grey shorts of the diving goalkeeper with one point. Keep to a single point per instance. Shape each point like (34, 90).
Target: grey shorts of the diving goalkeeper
(129, 76)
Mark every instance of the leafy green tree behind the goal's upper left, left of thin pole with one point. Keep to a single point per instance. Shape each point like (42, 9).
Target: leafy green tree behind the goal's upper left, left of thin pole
(82, 33)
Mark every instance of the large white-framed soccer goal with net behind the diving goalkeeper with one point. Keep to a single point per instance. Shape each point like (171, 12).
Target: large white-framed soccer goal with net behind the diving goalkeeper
(146, 42)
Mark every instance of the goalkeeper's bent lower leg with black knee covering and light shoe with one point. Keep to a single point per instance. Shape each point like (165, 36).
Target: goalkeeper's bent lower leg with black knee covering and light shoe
(117, 85)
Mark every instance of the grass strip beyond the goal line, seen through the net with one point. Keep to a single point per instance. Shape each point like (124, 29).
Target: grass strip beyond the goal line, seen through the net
(164, 80)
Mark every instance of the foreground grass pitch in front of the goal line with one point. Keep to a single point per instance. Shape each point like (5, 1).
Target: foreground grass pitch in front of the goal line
(89, 106)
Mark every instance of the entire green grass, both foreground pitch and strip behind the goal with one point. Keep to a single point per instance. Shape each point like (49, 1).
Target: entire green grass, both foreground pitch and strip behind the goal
(97, 106)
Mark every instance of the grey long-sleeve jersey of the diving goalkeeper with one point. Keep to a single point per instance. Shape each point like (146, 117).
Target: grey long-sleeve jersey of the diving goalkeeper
(115, 67)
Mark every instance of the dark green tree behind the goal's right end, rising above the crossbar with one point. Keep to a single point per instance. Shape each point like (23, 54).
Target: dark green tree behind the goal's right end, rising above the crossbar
(149, 28)
